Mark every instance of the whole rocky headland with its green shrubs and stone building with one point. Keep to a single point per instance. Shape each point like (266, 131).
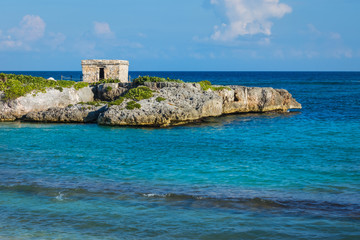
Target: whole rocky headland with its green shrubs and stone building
(107, 97)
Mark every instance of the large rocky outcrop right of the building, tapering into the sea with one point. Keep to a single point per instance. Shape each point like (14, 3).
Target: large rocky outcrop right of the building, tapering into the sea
(186, 102)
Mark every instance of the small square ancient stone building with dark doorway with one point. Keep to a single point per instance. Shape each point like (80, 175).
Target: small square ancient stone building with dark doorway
(95, 70)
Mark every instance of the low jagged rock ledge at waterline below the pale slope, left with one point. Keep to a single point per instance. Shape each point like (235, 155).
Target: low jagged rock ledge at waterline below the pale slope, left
(72, 113)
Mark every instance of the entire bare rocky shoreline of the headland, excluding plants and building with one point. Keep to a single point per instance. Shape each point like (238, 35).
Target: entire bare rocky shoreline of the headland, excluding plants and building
(171, 103)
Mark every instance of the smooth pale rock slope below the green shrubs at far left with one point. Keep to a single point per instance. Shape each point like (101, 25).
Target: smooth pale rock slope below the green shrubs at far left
(15, 109)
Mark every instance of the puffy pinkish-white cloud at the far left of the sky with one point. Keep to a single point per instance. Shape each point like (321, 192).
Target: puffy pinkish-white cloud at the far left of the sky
(30, 29)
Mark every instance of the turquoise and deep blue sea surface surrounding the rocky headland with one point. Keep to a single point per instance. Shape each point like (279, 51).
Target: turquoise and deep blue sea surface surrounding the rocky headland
(294, 175)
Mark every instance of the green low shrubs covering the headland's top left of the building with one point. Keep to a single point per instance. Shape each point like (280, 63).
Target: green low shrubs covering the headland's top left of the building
(15, 86)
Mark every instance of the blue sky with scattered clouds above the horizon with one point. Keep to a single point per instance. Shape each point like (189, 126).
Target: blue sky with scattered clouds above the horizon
(188, 35)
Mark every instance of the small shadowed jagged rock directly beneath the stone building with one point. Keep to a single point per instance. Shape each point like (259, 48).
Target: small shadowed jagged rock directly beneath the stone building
(110, 91)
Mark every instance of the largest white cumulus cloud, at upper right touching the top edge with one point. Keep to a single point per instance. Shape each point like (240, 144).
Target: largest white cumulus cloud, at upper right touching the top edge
(247, 17)
